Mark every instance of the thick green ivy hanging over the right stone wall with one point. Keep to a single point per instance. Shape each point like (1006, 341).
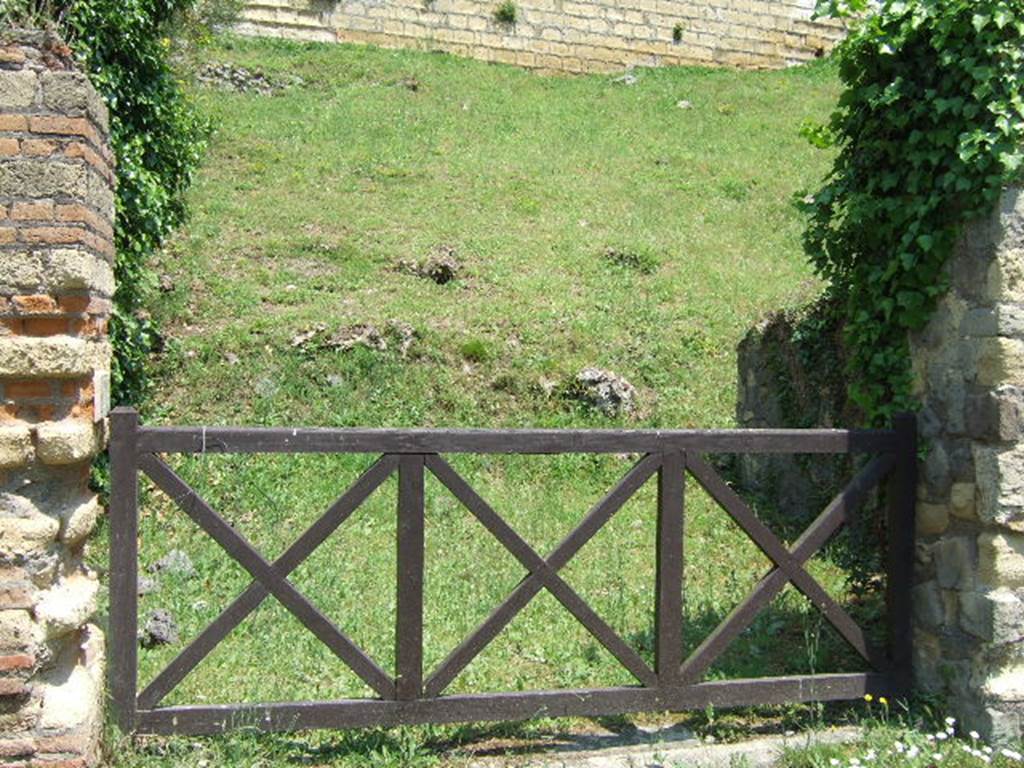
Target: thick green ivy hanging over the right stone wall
(930, 129)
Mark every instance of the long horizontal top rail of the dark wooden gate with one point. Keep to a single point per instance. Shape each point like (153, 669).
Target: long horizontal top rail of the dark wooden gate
(351, 441)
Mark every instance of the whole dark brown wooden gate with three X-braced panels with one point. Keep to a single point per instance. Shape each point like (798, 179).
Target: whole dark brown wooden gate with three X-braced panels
(417, 696)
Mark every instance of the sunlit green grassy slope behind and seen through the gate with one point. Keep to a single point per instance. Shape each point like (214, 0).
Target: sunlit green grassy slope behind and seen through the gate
(639, 228)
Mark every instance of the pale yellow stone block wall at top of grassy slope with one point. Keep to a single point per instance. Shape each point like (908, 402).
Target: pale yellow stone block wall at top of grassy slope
(565, 35)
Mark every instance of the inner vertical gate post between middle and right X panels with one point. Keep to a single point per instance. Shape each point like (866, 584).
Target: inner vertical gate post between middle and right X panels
(669, 588)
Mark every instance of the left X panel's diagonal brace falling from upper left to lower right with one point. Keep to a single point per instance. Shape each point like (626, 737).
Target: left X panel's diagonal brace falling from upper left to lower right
(268, 575)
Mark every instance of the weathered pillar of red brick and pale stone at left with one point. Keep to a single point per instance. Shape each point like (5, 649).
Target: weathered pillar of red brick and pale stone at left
(57, 209)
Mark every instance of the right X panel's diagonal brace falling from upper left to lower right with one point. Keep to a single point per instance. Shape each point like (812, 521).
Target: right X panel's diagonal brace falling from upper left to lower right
(789, 568)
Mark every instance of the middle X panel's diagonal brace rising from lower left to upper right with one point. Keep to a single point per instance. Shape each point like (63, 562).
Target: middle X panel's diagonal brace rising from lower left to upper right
(531, 585)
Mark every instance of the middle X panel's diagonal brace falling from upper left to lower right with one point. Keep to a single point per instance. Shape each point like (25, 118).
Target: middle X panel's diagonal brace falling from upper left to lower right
(539, 568)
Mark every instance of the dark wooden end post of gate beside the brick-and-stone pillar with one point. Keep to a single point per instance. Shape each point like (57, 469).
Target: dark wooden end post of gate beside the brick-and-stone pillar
(124, 565)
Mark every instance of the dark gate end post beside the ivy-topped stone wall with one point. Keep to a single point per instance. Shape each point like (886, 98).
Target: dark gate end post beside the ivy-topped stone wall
(902, 502)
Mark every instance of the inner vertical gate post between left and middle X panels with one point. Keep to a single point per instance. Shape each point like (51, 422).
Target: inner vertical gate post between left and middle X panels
(409, 619)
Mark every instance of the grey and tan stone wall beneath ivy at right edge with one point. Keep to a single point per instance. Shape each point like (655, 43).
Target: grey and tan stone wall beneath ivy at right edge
(969, 365)
